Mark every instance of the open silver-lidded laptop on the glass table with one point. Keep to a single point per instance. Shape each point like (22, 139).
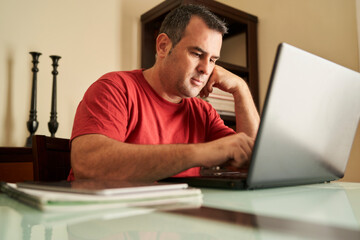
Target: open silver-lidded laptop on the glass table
(308, 124)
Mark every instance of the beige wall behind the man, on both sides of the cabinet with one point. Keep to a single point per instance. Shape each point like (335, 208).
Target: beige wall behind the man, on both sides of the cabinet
(94, 37)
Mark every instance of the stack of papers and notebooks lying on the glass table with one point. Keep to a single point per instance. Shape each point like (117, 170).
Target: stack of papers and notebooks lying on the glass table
(63, 196)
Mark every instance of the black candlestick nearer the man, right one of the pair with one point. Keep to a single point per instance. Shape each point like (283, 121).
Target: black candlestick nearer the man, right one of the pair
(53, 124)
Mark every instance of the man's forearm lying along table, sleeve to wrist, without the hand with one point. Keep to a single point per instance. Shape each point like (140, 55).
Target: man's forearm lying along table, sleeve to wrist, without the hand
(96, 156)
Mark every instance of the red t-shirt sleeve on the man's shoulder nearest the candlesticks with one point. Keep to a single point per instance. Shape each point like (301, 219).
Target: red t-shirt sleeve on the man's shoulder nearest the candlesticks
(103, 110)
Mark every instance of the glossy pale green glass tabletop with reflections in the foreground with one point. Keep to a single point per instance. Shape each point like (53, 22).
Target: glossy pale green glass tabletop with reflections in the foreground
(327, 211)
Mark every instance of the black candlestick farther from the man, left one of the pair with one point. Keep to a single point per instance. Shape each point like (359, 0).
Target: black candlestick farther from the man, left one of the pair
(33, 124)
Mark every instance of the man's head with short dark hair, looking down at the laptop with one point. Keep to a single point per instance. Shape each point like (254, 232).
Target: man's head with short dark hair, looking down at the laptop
(187, 48)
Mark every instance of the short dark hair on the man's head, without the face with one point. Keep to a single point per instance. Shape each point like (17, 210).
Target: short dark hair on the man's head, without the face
(176, 21)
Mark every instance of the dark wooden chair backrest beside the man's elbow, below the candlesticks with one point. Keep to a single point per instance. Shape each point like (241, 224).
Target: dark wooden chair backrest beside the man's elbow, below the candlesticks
(51, 158)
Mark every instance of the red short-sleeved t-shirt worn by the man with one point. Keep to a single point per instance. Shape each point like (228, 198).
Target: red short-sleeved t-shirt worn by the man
(123, 106)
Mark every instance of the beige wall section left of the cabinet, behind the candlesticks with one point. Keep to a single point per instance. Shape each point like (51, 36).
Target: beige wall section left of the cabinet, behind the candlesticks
(91, 36)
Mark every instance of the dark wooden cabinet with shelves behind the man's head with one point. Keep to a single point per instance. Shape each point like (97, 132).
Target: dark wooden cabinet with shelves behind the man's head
(239, 23)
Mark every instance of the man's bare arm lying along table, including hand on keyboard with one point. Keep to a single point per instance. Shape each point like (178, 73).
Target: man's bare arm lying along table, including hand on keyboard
(99, 157)
